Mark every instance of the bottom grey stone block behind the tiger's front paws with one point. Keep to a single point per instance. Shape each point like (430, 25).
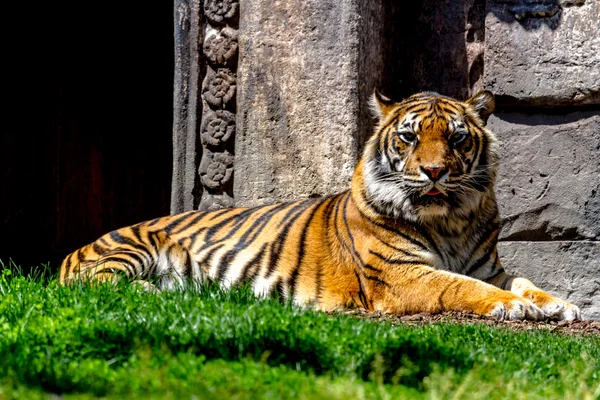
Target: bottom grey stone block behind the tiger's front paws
(570, 270)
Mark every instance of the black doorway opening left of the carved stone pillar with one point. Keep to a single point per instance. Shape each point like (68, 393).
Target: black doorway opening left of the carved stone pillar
(86, 134)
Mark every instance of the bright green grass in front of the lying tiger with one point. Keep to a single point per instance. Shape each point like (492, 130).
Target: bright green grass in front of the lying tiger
(121, 342)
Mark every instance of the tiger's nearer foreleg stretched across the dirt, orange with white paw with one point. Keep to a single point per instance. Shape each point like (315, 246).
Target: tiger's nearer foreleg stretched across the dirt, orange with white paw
(424, 289)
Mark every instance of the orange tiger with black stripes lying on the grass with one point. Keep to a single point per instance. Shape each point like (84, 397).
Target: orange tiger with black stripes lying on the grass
(416, 232)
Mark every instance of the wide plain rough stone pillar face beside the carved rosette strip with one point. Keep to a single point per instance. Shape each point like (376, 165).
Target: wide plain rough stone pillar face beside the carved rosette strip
(298, 96)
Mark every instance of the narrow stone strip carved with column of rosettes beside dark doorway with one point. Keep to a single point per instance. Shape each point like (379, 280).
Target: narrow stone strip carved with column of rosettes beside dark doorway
(206, 51)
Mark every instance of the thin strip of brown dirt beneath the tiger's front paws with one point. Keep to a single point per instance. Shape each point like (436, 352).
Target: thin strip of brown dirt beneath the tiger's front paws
(586, 327)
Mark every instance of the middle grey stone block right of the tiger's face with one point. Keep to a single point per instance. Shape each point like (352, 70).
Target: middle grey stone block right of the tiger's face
(549, 178)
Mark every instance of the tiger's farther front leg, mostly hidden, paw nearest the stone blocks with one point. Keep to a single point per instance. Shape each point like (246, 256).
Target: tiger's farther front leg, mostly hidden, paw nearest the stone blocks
(553, 307)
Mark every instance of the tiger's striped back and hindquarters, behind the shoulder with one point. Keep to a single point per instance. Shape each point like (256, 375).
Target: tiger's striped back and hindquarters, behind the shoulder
(259, 246)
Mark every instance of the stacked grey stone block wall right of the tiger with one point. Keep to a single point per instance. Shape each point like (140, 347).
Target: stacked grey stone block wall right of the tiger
(542, 60)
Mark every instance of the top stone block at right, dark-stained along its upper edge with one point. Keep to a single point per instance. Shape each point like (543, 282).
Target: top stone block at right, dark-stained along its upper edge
(543, 52)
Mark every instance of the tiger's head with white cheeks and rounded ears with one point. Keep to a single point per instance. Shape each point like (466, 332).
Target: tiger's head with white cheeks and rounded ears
(431, 157)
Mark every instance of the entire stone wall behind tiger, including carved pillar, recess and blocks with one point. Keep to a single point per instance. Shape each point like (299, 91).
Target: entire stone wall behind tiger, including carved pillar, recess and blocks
(305, 73)
